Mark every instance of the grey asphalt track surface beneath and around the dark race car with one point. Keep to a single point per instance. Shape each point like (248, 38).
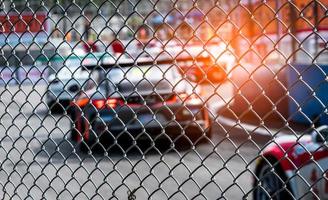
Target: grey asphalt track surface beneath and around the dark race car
(39, 160)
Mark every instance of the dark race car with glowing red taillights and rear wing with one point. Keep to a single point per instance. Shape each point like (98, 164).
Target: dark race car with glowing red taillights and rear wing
(138, 100)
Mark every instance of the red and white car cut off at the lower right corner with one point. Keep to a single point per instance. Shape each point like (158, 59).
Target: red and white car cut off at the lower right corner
(294, 167)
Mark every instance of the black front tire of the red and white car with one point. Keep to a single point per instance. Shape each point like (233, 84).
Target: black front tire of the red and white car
(270, 183)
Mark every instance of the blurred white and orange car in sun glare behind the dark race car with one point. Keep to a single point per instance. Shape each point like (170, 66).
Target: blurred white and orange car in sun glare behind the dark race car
(219, 58)
